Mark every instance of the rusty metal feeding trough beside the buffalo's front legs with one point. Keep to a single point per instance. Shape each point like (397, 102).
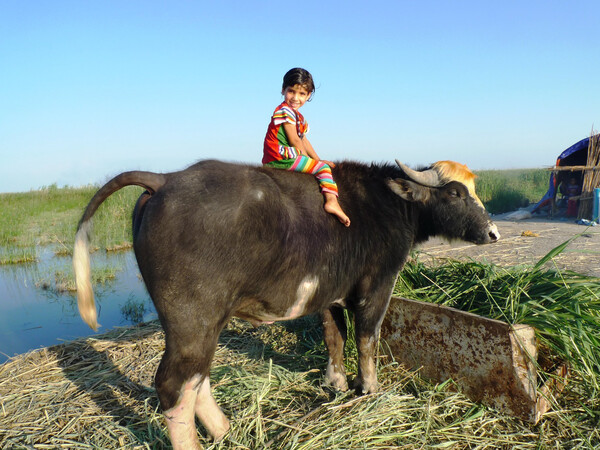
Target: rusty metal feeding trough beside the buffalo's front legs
(491, 361)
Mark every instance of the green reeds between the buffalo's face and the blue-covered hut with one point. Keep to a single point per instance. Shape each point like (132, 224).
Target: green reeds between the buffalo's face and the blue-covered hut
(508, 190)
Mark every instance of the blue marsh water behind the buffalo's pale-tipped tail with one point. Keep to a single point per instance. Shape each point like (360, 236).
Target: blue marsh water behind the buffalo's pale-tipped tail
(35, 313)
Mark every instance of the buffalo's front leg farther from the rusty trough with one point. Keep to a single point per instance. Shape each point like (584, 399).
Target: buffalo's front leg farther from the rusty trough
(334, 335)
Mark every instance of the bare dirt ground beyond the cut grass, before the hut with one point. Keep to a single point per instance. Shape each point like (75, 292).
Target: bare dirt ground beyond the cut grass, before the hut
(525, 242)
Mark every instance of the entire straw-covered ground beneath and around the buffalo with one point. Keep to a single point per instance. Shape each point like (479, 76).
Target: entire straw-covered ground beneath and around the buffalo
(97, 393)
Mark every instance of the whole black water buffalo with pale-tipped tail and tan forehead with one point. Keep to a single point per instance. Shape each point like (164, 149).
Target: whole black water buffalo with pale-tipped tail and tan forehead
(219, 240)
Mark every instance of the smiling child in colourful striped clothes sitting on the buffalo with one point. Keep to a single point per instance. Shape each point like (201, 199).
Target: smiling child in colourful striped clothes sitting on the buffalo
(286, 146)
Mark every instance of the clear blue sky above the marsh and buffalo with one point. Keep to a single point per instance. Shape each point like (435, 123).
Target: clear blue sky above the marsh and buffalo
(94, 88)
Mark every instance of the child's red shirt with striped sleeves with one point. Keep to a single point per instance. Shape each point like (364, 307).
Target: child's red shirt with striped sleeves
(276, 146)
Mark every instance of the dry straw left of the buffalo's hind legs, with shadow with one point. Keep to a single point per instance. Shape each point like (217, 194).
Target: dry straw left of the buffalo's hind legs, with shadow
(89, 393)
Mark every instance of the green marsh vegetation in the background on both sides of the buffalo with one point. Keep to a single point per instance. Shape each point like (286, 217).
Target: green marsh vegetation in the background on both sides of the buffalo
(49, 216)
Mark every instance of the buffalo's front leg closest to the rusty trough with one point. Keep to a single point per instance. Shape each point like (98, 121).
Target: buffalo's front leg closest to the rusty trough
(368, 317)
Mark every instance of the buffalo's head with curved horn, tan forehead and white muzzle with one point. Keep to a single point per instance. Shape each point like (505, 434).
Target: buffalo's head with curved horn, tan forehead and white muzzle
(449, 186)
